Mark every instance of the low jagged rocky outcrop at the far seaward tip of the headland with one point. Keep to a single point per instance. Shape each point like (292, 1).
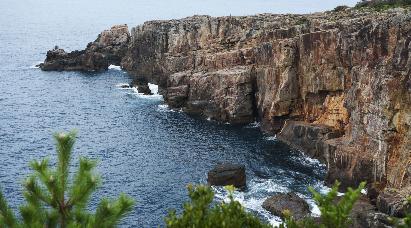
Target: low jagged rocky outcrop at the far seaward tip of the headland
(109, 48)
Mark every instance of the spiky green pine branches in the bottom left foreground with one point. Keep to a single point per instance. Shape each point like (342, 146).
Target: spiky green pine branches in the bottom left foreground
(52, 201)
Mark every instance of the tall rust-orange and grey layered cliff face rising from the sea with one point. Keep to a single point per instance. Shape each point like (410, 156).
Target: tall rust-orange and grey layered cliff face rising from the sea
(336, 84)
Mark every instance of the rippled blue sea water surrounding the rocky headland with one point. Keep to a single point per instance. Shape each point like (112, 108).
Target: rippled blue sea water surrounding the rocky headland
(143, 148)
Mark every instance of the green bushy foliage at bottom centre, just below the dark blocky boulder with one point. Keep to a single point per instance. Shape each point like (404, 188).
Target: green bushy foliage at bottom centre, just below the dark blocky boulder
(198, 213)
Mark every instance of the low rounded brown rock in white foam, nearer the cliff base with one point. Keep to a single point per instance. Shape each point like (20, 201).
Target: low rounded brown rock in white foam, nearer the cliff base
(281, 202)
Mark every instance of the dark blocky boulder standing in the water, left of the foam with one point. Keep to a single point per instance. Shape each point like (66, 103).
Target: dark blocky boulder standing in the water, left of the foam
(227, 174)
